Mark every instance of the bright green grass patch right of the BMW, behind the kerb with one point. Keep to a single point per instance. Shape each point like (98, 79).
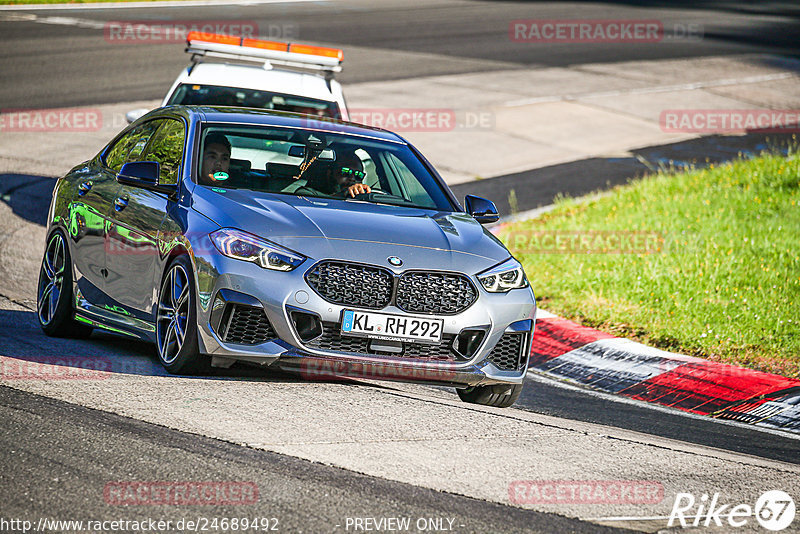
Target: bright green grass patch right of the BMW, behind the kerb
(722, 280)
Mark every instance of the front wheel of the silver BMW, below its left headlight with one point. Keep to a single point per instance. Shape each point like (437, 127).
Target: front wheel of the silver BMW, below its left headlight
(176, 321)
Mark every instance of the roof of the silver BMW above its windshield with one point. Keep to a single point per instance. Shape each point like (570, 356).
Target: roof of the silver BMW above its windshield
(287, 120)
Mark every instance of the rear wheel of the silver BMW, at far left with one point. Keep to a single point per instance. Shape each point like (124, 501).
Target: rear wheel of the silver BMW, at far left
(54, 292)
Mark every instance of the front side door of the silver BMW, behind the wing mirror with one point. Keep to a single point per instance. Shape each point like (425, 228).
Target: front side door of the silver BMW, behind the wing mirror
(132, 257)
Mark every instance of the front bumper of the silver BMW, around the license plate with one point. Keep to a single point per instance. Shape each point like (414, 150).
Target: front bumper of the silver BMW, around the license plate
(491, 337)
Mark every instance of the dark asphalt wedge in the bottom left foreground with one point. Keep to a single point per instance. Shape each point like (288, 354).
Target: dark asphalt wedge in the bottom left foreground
(71, 452)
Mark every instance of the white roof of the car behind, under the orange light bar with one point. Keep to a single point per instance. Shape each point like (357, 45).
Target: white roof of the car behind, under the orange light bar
(259, 78)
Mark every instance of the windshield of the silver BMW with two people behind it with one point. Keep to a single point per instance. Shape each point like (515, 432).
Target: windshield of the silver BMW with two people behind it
(317, 164)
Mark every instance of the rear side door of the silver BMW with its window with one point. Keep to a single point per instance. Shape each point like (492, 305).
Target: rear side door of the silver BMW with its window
(88, 217)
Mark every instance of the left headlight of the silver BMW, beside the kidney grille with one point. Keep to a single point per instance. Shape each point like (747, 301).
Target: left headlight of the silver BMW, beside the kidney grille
(240, 245)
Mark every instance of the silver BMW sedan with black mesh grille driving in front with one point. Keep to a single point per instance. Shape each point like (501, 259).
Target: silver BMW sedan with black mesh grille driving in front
(315, 246)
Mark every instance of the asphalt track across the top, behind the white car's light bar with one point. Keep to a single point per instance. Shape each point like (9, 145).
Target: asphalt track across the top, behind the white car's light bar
(56, 64)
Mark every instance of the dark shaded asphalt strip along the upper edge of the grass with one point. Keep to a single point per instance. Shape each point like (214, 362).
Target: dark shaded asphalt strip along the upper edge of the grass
(540, 187)
